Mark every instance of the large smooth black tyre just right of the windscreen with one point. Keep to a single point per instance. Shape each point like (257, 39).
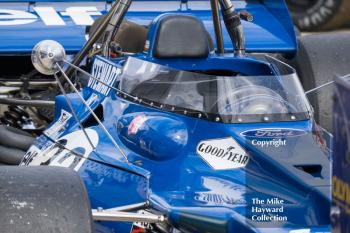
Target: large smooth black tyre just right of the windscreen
(322, 57)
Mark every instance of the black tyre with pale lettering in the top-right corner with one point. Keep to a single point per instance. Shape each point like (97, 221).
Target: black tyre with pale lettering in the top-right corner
(312, 15)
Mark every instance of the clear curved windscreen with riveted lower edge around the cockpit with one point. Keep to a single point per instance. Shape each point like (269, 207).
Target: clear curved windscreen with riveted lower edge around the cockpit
(229, 99)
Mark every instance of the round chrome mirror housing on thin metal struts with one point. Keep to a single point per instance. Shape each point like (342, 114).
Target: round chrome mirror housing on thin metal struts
(45, 56)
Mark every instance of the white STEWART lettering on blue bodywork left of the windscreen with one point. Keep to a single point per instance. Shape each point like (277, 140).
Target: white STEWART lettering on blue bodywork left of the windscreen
(106, 72)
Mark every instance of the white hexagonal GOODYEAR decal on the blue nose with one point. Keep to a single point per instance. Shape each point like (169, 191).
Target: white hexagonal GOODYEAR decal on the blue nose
(222, 154)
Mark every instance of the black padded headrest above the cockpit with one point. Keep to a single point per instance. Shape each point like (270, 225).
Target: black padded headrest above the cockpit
(181, 36)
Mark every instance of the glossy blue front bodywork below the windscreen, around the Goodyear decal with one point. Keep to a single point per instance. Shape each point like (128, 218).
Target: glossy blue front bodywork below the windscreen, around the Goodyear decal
(166, 171)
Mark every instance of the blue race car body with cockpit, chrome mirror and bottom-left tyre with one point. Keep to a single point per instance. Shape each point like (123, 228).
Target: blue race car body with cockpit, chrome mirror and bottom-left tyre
(176, 137)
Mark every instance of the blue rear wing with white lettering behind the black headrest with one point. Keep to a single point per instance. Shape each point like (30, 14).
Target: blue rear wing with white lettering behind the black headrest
(271, 30)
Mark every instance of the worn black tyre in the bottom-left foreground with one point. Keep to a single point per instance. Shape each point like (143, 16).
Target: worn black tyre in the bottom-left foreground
(43, 199)
